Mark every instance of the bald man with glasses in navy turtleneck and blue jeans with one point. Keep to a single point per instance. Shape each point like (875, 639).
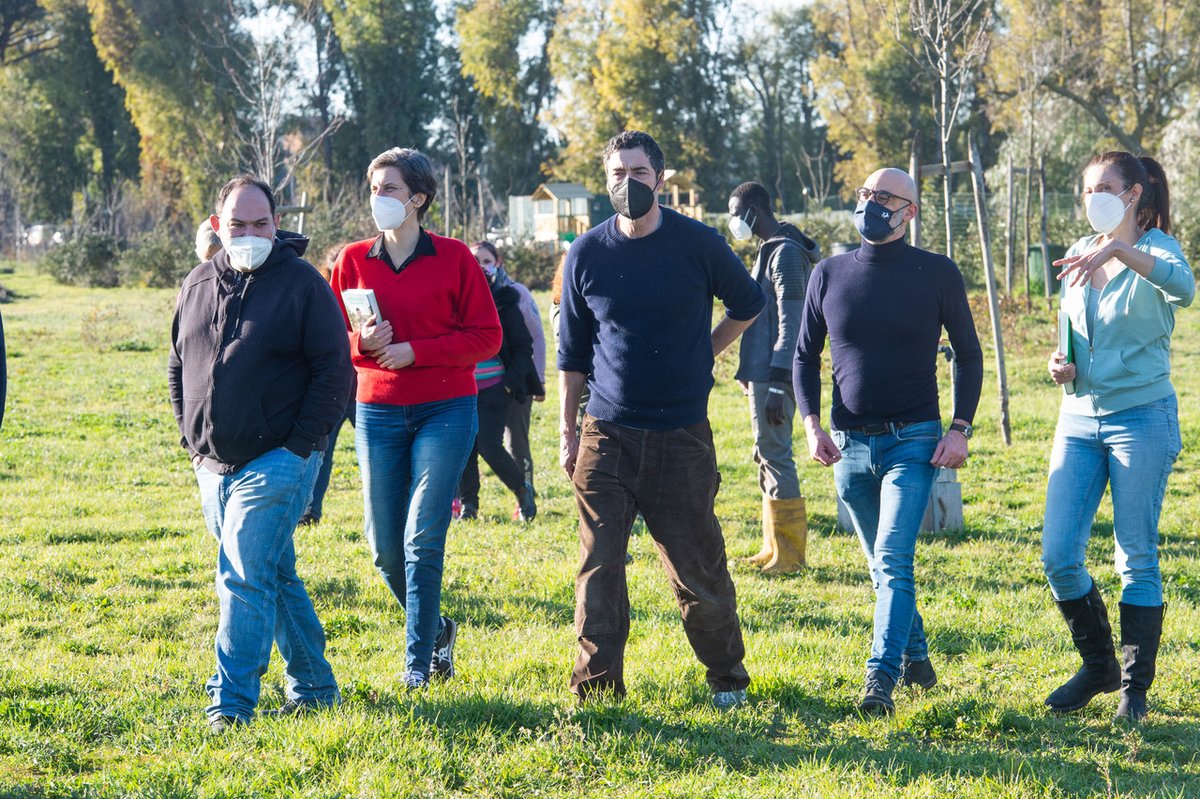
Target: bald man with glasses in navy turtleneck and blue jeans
(884, 308)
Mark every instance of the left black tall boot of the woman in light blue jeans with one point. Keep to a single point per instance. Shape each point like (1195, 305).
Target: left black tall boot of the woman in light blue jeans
(1089, 623)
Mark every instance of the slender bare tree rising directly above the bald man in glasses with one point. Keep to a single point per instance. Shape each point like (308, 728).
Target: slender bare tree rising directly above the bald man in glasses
(952, 43)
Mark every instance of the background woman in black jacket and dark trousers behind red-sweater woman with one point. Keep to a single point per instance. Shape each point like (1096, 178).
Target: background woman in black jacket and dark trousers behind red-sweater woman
(506, 379)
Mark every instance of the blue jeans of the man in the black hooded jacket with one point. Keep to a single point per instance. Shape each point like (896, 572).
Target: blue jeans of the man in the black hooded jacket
(253, 514)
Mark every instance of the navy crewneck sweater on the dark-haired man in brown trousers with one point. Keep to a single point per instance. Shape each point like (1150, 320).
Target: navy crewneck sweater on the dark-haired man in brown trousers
(638, 314)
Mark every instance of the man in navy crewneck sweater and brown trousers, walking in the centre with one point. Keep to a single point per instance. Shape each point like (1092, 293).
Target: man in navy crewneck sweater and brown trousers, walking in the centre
(637, 327)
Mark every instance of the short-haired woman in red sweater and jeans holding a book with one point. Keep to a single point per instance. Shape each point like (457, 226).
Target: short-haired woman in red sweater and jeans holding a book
(417, 416)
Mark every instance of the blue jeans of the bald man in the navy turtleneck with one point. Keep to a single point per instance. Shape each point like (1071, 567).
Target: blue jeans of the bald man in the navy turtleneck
(885, 483)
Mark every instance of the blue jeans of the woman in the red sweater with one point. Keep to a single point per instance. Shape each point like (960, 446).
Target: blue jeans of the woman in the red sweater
(411, 459)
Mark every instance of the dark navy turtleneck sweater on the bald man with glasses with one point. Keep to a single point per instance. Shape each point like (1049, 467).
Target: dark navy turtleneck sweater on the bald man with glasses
(884, 309)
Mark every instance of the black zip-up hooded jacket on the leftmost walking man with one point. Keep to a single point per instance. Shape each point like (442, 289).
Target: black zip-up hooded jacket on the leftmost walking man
(259, 361)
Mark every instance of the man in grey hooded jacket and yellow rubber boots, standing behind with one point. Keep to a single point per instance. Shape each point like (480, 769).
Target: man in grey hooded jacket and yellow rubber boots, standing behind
(765, 371)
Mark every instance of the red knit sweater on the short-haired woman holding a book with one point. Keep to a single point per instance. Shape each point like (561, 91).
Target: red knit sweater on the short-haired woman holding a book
(439, 304)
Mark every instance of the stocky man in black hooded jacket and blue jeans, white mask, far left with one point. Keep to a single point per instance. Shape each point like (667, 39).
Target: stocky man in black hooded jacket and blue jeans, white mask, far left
(260, 373)
